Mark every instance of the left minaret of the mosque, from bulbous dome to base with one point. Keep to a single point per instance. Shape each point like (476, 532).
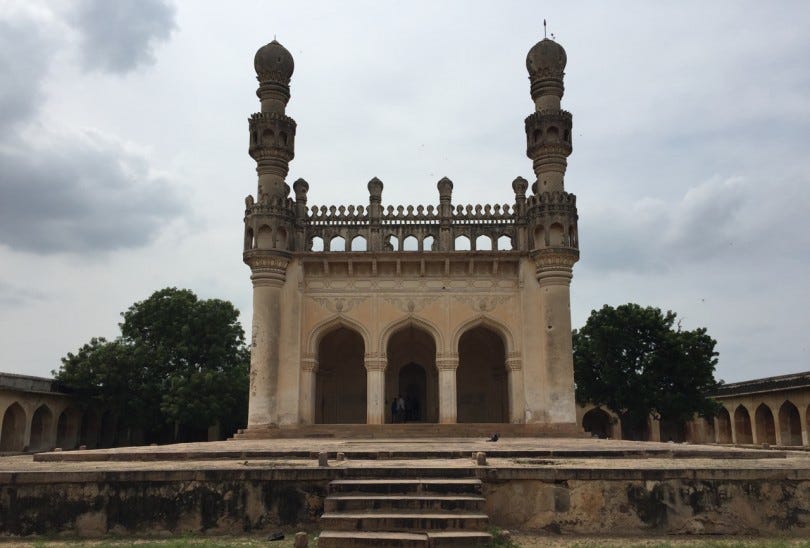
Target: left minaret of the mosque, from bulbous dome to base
(269, 226)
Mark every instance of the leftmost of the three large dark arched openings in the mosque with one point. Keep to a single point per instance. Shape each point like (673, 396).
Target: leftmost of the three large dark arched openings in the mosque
(340, 383)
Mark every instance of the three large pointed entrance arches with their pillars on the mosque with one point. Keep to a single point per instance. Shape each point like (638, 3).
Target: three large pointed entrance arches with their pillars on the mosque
(406, 377)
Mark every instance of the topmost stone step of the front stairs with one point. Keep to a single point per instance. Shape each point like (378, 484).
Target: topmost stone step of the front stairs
(406, 486)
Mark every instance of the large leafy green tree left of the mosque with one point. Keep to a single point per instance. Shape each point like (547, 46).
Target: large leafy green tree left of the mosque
(180, 365)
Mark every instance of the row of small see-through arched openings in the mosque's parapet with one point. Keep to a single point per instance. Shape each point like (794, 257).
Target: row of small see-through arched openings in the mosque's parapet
(412, 243)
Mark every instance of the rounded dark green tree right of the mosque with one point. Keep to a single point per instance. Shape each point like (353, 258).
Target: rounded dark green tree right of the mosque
(639, 362)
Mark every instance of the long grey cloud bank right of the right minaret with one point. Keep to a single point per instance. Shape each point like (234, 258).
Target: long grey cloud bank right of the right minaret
(717, 219)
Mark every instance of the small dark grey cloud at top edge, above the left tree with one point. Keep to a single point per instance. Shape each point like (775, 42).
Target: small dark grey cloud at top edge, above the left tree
(119, 36)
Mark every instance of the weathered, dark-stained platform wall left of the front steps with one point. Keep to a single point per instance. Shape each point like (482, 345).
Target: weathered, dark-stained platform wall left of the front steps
(151, 506)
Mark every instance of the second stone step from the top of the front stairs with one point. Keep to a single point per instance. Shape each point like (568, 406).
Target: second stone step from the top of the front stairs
(399, 502)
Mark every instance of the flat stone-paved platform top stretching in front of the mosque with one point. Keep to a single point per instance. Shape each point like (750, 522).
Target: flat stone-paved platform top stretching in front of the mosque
(518, 453)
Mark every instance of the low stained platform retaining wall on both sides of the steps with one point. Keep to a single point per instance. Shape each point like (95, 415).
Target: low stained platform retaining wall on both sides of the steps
(591, 502)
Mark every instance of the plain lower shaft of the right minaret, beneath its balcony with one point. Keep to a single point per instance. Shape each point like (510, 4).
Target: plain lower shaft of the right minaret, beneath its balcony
(554, 273)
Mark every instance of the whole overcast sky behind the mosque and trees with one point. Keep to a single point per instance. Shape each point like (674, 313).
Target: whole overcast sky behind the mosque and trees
(124, 165)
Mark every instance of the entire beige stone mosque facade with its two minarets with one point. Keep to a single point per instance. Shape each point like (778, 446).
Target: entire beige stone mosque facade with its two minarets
(461, 310)
